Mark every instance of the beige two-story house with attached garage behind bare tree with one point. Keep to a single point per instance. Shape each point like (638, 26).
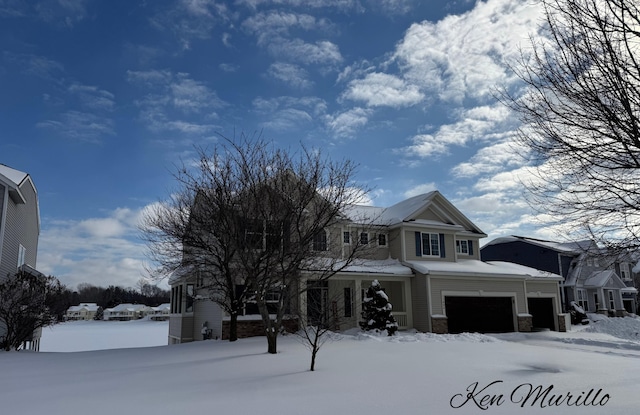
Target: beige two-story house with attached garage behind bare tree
(426, 258)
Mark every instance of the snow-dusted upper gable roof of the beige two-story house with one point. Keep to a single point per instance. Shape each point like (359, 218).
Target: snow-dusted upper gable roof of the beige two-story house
(409, 210)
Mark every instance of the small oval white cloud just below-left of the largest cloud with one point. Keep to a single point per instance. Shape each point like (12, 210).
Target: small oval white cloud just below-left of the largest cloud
(381, 89)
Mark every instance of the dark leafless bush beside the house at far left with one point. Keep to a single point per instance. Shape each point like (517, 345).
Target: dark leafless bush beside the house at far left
(27, 303)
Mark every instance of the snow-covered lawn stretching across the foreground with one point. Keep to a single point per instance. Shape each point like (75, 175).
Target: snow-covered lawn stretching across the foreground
(410, 373)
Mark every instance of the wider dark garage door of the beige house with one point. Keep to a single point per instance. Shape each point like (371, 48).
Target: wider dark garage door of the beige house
(479, 314)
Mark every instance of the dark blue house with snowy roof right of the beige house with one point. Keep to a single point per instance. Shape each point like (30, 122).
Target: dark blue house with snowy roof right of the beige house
(598, 282)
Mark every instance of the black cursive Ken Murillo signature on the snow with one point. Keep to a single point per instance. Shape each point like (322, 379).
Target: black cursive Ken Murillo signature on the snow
(526, 394)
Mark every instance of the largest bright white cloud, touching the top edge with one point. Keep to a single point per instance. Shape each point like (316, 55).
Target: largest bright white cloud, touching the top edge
(464, 55)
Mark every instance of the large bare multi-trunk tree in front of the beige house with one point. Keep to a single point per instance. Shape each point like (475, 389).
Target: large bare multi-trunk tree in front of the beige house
(248, 216)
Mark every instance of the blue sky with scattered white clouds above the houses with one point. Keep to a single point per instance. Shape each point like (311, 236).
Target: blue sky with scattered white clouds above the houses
(99, 100)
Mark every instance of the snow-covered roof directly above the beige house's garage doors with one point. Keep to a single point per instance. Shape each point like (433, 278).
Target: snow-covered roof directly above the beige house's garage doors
(474, 267)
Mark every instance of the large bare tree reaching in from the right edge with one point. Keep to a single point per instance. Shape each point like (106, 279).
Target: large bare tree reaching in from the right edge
(580, 117)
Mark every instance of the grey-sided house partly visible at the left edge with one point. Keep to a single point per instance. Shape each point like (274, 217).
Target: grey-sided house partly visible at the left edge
(19, 229)
